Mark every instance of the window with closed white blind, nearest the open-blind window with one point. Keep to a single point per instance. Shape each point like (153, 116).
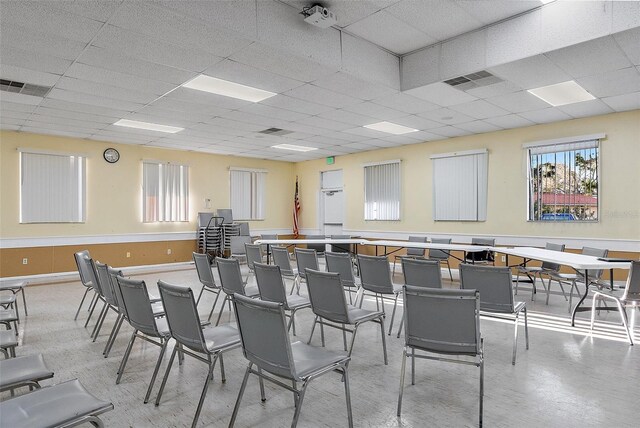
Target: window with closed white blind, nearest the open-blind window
(460, 186)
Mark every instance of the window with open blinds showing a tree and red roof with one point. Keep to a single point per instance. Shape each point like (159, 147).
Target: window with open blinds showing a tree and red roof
(563, 179)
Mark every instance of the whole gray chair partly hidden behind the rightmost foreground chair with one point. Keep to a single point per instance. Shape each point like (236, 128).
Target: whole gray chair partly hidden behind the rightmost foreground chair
(496, 296)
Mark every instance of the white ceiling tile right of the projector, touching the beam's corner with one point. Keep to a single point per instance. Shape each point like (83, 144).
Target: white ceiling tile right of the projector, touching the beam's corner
(404, 38)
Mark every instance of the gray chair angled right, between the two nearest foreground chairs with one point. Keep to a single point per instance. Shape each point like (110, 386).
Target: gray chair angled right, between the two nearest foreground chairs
(330, 307)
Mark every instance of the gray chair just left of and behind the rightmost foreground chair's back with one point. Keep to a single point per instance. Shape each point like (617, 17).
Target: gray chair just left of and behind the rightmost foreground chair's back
(376, 279)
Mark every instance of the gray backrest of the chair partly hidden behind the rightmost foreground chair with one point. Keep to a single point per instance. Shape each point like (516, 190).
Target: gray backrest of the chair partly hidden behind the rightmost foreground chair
(493, 283)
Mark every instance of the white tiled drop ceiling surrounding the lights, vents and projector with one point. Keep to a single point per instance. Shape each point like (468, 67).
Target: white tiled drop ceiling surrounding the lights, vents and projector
(386, 60)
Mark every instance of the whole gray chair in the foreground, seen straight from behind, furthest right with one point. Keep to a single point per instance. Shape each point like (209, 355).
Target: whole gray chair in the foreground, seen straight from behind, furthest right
(444, 323)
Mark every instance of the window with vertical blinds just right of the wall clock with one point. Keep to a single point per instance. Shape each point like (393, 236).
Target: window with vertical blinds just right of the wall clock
(165, 192)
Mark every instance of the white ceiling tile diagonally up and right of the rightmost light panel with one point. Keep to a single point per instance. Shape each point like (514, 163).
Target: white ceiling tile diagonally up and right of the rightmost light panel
(593, 57)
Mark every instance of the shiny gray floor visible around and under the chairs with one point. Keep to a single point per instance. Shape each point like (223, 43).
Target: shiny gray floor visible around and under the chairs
(566, 379)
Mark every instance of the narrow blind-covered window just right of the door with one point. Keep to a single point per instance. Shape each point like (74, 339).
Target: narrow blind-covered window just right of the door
(382, 191)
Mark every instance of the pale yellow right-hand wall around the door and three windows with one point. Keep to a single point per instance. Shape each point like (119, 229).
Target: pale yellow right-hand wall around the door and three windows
(507, 197)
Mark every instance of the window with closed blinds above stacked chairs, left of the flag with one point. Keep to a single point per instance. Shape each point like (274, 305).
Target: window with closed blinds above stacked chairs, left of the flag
(247, 193)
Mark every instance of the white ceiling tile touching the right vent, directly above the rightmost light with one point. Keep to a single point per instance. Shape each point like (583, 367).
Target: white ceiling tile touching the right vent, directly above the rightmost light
(531, 72)
